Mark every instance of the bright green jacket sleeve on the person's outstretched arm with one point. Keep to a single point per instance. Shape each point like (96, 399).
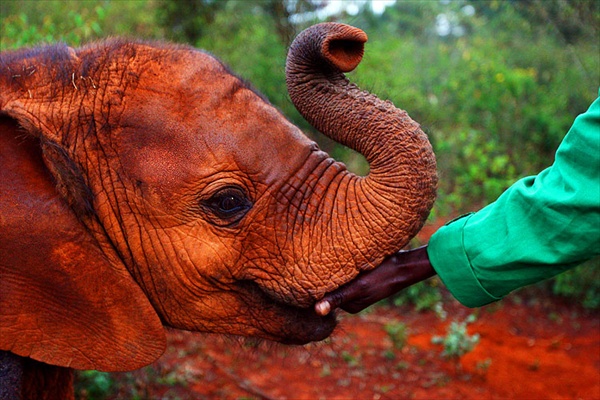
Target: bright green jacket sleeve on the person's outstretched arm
(540, 226)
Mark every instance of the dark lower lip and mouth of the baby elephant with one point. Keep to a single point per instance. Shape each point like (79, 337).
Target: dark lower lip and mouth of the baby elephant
(282, 322)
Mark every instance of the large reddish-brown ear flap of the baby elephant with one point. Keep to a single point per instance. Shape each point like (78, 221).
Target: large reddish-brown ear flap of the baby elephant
(65, 298)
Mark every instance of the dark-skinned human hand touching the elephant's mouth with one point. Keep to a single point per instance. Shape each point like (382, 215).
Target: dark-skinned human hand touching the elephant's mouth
(397, 272)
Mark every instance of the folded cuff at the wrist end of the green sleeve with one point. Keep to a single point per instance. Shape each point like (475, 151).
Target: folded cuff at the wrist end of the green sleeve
(449, 258)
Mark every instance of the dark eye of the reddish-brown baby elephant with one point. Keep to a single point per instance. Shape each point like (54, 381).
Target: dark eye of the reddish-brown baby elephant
(229, 205)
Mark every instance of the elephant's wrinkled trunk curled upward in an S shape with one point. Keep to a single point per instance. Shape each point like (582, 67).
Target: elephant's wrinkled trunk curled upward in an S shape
(385, 209)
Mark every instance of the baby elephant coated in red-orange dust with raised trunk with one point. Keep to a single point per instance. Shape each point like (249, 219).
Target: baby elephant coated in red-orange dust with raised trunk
(145, 185)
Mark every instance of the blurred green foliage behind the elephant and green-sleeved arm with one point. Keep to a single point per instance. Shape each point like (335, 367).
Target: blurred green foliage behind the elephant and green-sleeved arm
(496, 94)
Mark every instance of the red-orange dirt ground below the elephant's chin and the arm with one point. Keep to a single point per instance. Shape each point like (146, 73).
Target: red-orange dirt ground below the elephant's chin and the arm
(528, 349)
